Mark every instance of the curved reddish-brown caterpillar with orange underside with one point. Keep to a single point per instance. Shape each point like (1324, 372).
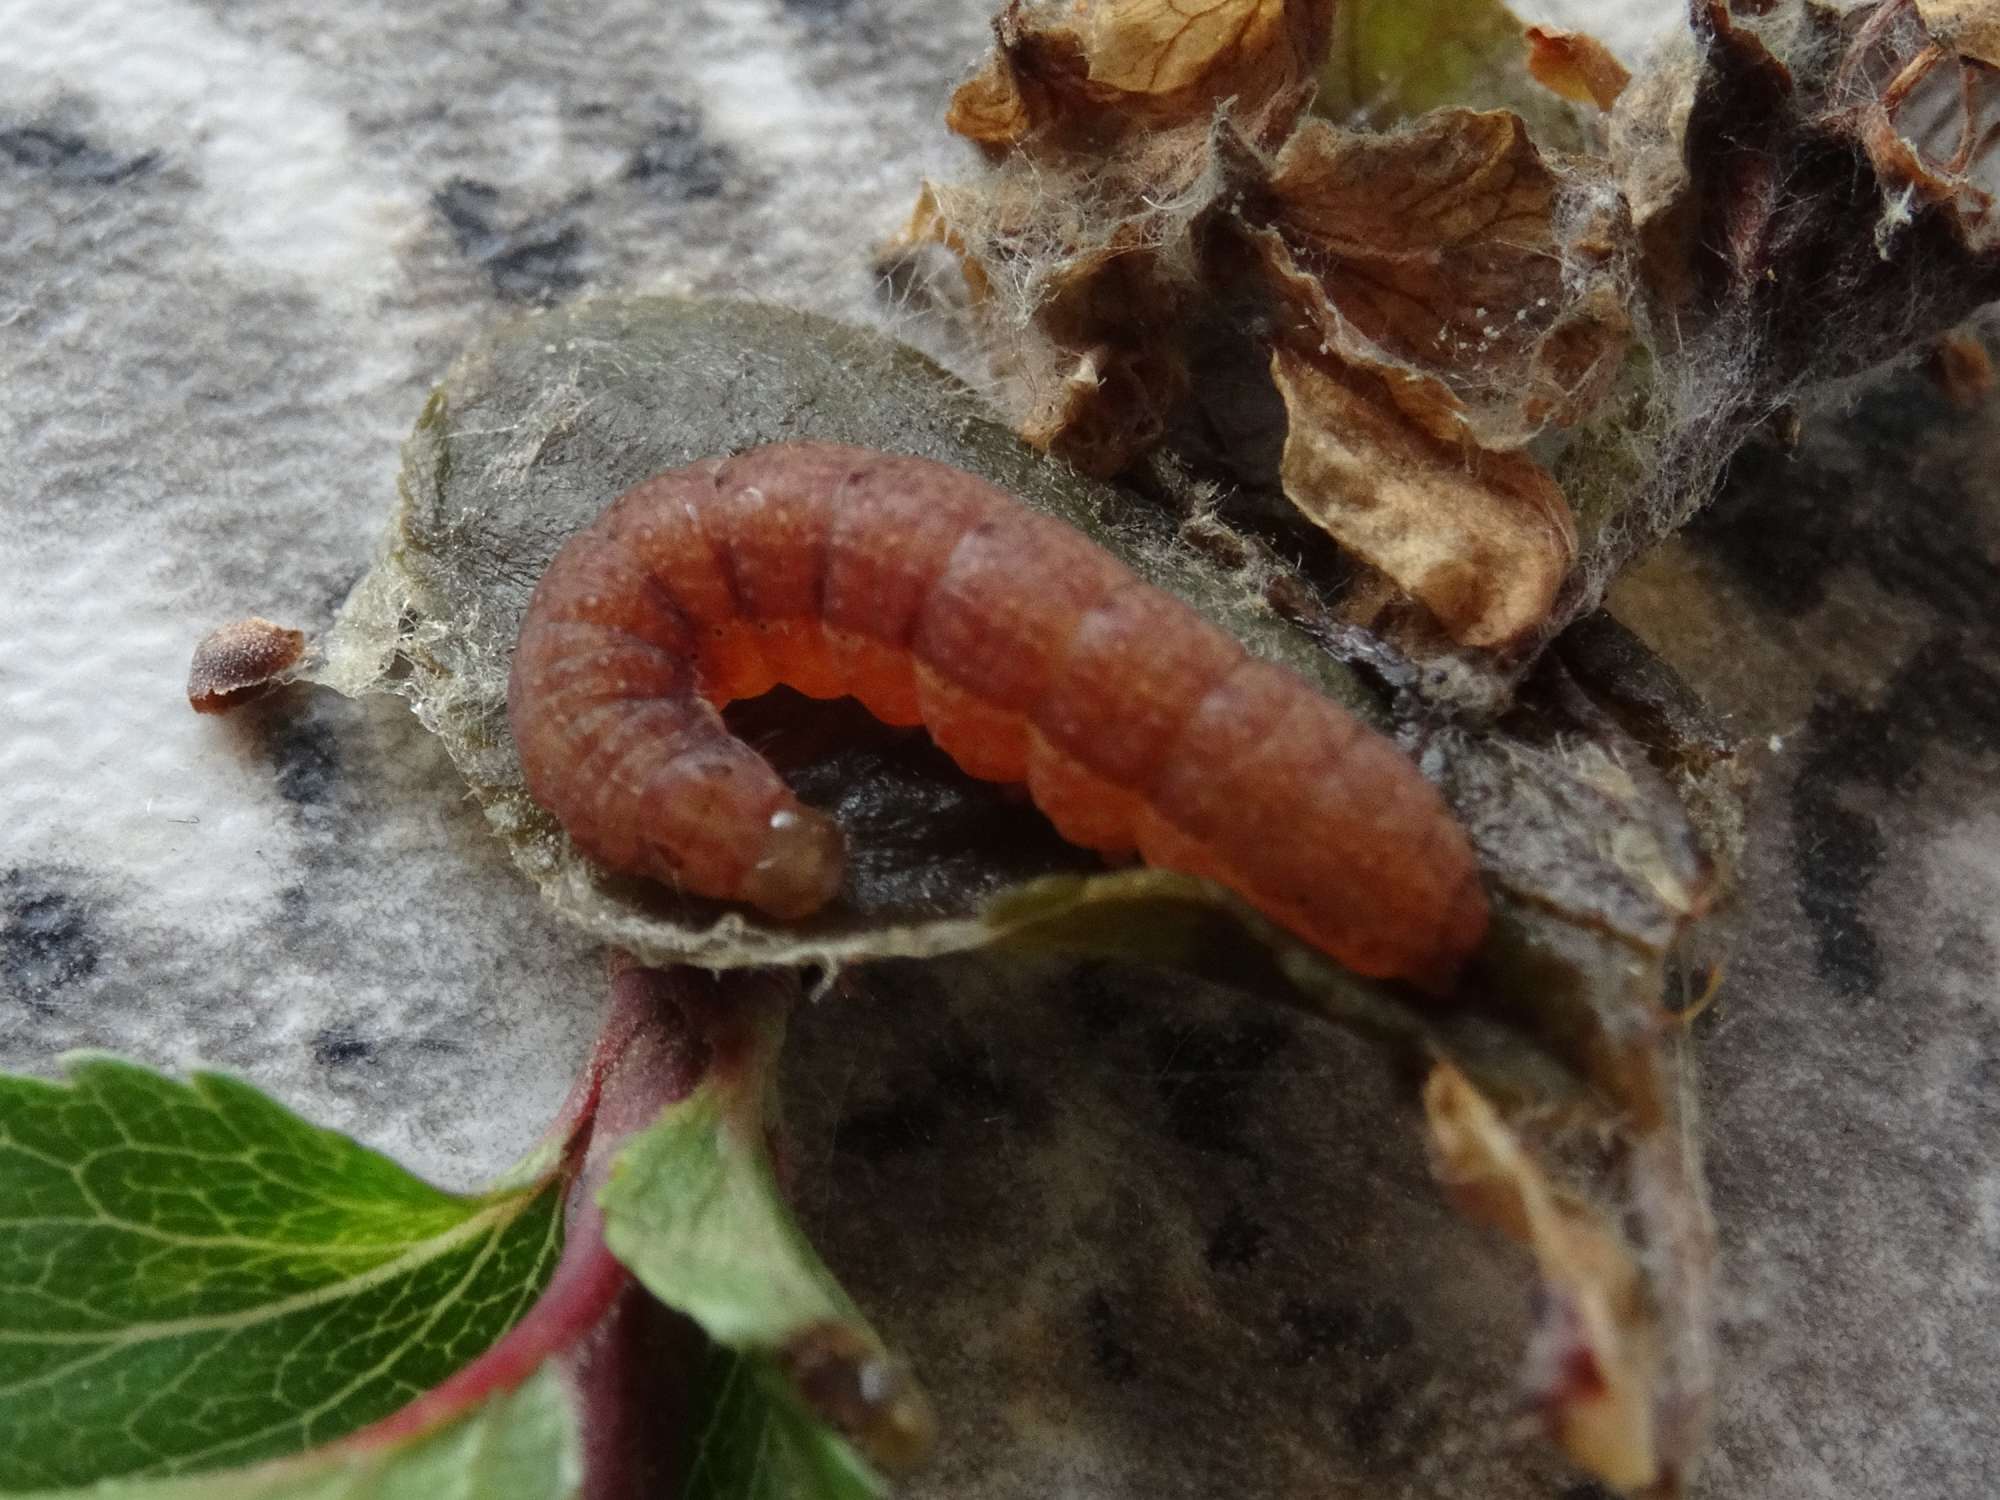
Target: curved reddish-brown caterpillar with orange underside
(1027, 651)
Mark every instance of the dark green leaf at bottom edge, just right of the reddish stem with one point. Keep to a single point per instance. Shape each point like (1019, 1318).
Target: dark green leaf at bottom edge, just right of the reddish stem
(759, 1445)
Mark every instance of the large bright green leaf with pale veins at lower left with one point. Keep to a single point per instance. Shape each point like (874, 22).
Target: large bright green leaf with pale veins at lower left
(193, 1279)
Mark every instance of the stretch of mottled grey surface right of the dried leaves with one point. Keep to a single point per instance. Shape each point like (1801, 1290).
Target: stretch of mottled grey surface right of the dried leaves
(1841, 605)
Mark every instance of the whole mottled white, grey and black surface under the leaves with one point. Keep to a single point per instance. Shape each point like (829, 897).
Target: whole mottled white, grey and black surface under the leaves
(1137, 1245)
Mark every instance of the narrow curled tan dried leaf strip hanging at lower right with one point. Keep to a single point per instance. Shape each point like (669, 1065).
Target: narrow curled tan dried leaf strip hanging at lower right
(1593, 1369)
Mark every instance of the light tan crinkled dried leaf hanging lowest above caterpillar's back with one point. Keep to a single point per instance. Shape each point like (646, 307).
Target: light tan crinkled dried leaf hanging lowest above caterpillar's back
(1481, 539)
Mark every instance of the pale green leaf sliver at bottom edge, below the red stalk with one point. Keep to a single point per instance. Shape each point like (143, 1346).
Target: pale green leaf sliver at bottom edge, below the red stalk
(517, 1447)
